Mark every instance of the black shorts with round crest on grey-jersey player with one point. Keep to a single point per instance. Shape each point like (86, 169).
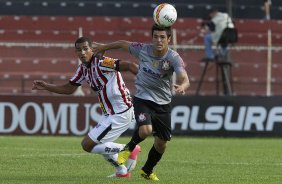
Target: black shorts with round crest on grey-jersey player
(150, 113)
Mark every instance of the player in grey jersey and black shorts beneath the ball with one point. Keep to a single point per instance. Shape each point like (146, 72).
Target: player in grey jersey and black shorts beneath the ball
(157, 62)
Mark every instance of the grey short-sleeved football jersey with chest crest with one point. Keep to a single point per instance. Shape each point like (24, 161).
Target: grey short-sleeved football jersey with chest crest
(154, 78)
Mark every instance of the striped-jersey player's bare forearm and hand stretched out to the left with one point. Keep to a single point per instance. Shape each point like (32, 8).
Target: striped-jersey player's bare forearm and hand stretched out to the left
(60, 89)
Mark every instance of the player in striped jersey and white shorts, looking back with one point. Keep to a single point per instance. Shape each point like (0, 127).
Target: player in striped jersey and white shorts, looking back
(103, 76)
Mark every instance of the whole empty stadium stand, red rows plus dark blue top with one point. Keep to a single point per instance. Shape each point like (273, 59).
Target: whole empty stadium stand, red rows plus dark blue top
(19, 65)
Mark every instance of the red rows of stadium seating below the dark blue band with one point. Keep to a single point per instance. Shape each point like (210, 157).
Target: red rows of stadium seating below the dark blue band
(19, 64)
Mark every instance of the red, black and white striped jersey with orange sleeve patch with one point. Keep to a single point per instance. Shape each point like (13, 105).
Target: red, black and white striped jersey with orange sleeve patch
(103, 76)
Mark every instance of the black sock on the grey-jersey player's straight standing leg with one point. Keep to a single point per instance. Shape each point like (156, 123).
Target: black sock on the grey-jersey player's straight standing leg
(153, 158)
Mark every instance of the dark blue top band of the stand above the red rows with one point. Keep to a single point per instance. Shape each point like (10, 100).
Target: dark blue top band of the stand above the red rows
(250, 9)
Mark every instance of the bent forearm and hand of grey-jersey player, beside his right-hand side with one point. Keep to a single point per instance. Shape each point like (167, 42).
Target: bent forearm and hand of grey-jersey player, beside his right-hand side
(182, 83)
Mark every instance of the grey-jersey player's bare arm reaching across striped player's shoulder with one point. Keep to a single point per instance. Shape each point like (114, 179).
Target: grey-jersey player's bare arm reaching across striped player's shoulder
(101, 48)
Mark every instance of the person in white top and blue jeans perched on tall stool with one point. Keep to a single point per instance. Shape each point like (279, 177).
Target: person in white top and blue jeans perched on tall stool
(213, 30)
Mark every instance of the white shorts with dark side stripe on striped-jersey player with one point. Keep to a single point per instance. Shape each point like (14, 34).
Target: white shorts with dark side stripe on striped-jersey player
(112, 126)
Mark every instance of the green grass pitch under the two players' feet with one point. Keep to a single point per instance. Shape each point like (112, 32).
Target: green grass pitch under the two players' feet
(36, 159)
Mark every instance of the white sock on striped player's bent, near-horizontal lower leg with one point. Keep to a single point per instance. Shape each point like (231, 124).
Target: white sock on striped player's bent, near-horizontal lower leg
(107, 148)
